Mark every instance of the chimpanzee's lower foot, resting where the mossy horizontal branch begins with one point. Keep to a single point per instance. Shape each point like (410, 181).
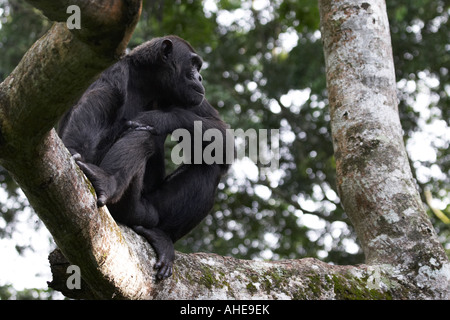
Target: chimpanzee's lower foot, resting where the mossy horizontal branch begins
(163, 247)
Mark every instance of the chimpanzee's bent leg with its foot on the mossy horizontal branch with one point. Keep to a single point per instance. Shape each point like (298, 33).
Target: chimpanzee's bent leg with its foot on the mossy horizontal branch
(182, 201)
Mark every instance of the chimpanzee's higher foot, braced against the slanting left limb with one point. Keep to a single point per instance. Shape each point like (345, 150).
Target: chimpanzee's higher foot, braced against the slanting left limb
(101, 181)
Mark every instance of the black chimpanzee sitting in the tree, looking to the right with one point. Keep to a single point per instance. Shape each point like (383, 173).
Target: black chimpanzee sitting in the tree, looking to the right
(117, 131)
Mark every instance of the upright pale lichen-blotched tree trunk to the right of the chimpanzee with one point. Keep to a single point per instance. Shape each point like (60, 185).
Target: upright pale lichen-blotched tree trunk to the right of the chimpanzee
(374, 179)
